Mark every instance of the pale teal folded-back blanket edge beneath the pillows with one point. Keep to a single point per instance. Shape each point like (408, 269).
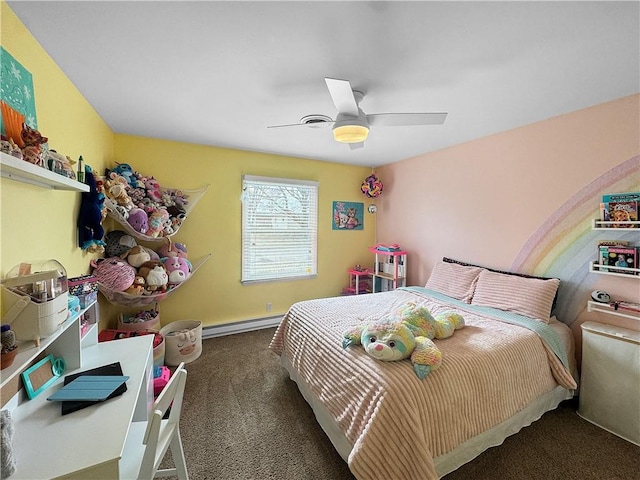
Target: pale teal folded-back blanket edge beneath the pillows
(544, 331)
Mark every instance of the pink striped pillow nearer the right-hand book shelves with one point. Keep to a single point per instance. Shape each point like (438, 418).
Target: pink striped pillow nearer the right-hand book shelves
(531, 297)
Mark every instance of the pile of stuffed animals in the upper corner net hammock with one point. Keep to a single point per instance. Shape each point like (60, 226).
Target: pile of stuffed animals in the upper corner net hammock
(140, 200)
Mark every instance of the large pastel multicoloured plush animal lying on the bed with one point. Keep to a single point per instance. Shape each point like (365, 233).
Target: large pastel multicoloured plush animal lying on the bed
(408, 333)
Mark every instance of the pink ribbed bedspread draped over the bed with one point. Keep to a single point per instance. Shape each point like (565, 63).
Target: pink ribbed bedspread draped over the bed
(396, 422)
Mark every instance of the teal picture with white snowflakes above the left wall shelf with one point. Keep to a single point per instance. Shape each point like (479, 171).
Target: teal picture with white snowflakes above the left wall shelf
(16, 88)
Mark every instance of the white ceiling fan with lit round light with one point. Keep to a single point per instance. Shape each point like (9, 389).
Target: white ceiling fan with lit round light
(351, 125)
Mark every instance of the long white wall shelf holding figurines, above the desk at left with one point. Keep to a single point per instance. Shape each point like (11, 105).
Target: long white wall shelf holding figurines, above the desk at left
(25, 172)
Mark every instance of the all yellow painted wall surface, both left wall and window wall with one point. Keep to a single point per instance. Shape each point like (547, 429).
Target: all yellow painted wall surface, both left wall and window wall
(40, 224)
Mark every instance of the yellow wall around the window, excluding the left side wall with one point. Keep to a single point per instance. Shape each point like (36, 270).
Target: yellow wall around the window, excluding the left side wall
(214, 294)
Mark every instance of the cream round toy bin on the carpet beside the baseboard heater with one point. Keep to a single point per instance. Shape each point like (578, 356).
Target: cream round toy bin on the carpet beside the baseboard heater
(183, 341)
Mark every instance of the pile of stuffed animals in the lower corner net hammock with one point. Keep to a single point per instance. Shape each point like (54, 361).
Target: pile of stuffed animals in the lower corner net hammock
(138, 270)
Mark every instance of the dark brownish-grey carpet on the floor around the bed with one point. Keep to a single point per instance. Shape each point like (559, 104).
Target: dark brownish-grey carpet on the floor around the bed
(243, 418)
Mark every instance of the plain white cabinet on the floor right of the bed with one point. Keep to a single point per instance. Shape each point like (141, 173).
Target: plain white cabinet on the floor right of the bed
(610, 379)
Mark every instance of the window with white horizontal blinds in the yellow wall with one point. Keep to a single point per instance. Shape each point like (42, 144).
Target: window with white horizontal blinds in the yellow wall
(279, 229)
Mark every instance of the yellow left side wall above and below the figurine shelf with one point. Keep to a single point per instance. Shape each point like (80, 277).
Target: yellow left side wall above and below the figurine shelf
(38, 223)
